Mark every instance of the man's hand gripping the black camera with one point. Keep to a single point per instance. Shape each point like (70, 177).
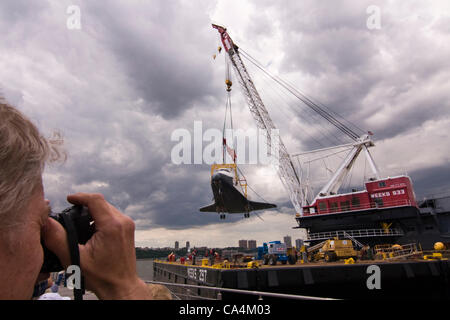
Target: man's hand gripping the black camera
(108, 259)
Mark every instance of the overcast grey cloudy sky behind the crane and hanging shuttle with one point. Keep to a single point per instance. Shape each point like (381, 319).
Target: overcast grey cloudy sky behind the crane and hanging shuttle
(118, 78)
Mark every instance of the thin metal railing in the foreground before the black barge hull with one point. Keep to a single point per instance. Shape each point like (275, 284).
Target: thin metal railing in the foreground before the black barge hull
(261, 294)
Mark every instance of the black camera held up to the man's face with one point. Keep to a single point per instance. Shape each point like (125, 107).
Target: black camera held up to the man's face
(79, 226)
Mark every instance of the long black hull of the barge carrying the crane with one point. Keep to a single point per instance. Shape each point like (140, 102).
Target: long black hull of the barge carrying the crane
(398, 280)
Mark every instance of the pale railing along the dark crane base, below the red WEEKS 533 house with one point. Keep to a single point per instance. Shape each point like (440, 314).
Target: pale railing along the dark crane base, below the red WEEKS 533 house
(360, 233)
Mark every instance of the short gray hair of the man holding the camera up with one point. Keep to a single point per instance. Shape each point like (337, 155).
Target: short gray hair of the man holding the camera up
(23, 154)
